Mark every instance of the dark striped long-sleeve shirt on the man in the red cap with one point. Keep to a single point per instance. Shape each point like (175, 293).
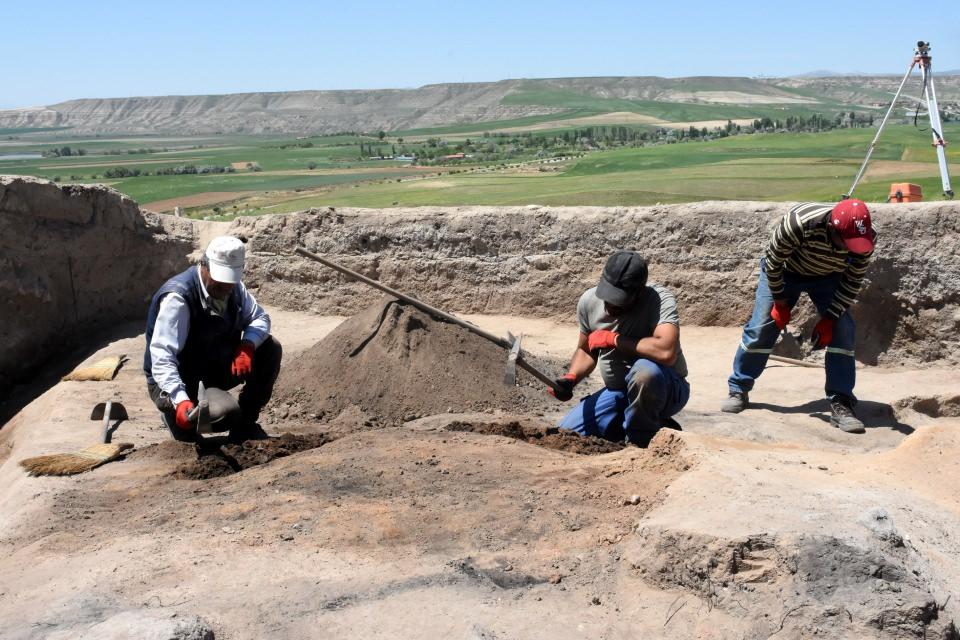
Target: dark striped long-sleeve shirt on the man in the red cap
(801, 244)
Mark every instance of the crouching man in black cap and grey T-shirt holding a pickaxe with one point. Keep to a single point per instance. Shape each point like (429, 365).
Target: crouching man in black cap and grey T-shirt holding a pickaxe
(632, 330)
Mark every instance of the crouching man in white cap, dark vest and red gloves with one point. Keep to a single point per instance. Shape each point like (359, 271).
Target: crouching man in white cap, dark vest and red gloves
(203, 325)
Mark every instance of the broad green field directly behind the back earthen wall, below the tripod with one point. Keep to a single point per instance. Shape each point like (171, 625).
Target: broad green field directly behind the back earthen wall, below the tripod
(756, 167)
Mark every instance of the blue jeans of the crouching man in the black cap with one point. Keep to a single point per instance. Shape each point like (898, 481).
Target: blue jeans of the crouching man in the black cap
(653, 392)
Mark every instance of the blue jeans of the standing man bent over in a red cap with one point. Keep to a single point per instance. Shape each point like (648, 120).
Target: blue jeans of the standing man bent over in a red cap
(761, 334)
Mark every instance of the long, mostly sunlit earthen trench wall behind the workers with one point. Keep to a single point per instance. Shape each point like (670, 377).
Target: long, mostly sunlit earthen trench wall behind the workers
(537, 260)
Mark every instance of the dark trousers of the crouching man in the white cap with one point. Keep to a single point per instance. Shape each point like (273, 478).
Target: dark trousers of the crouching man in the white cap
(256, 392)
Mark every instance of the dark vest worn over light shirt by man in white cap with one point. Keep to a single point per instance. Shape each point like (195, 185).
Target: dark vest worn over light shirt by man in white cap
(212, 338)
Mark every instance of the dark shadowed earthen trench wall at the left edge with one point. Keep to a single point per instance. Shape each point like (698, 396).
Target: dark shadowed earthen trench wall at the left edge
(75, 260)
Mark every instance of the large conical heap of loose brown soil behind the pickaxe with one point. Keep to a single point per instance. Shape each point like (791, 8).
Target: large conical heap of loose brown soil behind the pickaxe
(395, 363)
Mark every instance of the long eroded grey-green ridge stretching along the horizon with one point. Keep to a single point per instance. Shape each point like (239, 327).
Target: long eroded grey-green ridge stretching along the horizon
(509, 101)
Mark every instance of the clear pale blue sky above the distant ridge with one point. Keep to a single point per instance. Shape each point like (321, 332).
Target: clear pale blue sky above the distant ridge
(59, 50)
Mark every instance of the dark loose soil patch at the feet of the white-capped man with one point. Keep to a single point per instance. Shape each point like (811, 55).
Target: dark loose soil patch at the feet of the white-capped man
(217, 461)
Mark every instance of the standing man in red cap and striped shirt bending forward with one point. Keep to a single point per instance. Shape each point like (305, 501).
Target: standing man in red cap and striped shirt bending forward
(823, 251)
